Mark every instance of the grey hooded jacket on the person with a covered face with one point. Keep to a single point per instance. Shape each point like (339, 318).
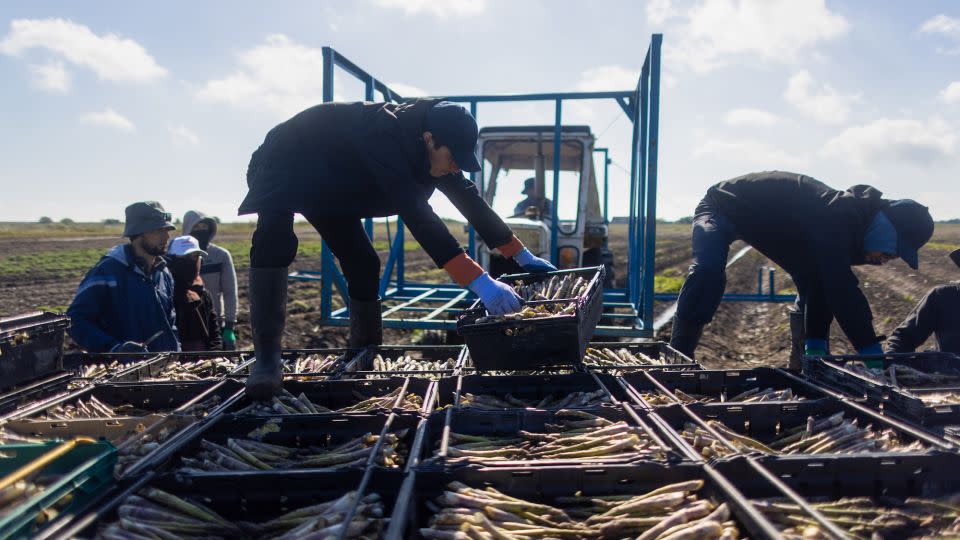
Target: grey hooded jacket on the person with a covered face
(217, 271)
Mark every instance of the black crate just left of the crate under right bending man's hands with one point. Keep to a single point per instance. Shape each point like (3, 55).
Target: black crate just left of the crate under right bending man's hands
(664, 387)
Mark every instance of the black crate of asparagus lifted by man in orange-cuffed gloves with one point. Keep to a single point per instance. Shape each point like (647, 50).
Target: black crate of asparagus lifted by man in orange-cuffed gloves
(560, 313)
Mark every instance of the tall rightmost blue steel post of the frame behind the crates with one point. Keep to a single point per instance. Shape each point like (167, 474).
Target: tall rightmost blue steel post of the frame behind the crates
(654, 143)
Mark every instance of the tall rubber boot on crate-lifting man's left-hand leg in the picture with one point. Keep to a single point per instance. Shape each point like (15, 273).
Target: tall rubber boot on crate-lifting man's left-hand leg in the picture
(268, 311)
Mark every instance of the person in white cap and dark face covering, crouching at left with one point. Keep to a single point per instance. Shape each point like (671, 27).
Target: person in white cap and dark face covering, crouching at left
(197, 322)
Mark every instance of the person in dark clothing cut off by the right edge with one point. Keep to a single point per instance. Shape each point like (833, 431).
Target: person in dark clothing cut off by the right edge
(938, 314)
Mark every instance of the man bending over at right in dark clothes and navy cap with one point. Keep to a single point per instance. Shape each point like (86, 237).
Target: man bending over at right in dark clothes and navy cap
(814, 232)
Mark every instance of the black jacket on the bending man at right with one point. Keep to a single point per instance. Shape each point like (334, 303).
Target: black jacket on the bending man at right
(815, 233)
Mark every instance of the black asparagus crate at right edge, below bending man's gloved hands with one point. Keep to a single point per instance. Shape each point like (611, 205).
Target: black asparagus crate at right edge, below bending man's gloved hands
(924, 387)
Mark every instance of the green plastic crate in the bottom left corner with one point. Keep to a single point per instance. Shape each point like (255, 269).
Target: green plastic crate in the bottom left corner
(86, 470)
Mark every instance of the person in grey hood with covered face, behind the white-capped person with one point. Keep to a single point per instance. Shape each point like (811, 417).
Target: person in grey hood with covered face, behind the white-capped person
(217, 273)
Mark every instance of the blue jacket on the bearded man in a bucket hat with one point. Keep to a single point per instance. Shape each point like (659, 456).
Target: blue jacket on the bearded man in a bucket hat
(117, 302)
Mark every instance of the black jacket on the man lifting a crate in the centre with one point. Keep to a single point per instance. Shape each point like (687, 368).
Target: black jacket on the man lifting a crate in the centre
(358, 160)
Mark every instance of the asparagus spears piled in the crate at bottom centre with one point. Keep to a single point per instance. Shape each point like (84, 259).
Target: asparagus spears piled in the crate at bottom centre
(671, 512)
